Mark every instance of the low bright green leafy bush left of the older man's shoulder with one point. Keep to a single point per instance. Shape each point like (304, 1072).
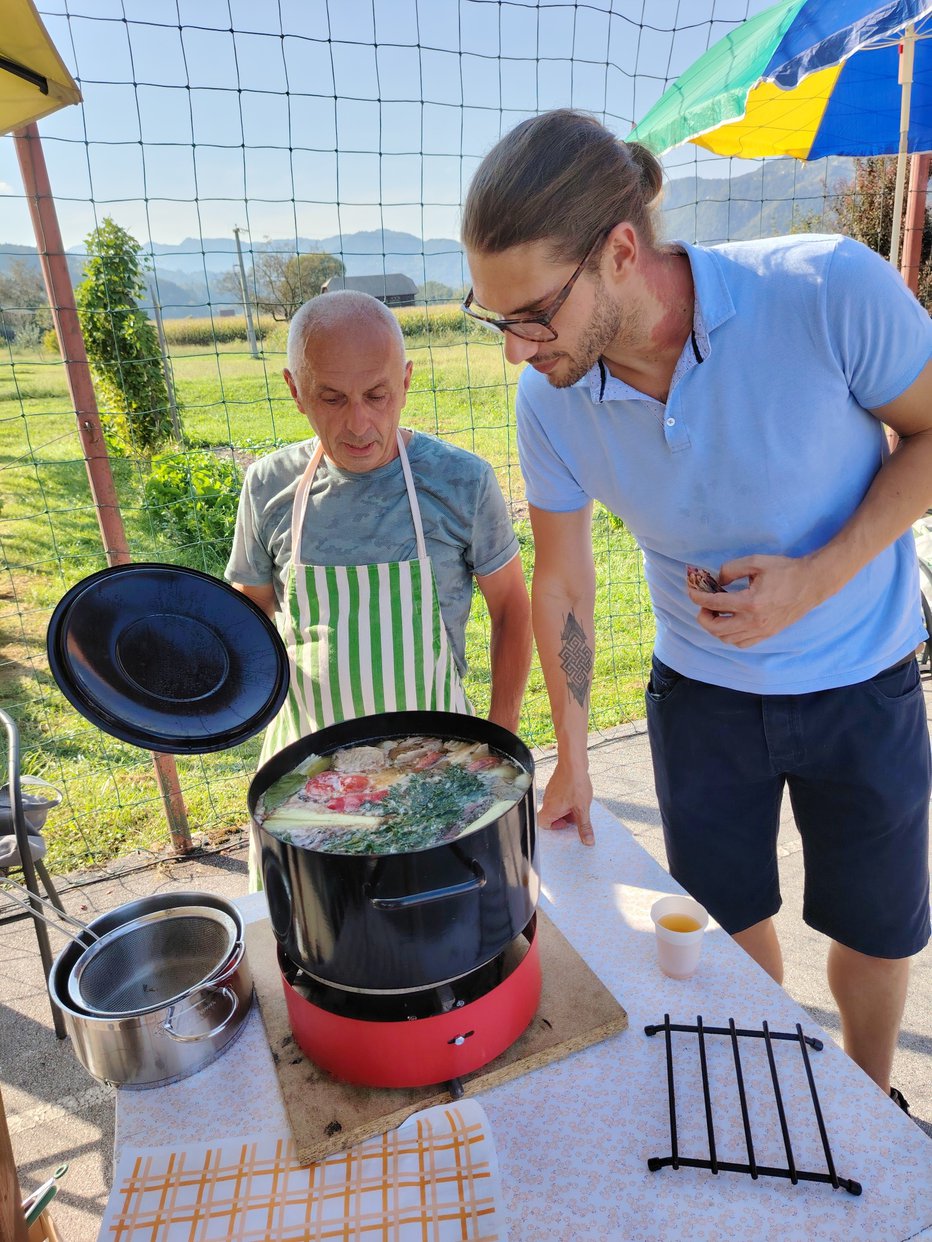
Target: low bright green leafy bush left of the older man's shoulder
(192, 497)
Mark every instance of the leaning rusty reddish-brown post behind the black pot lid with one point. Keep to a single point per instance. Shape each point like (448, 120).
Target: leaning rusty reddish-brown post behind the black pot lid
(71, 343)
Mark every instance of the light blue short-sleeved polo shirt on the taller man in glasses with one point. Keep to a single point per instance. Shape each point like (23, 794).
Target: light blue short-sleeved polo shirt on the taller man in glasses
(765, 445)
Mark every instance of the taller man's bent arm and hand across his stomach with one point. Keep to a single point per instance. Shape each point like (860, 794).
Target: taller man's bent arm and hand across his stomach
(784, 589)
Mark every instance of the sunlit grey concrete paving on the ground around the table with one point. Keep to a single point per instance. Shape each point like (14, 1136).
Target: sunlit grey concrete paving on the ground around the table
(57, 1113)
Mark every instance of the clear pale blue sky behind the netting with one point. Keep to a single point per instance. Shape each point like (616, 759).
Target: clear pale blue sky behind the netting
(322, 117)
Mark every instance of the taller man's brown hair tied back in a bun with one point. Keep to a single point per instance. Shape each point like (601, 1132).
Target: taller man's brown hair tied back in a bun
(561, 178)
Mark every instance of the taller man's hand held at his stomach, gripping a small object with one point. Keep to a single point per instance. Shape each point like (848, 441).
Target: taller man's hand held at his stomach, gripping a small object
(781, 591)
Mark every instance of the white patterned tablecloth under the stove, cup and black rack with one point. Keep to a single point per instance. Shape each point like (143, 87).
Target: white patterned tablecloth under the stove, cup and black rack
(573, 1138)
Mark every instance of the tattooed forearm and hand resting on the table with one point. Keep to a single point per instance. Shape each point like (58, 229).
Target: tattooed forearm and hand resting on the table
(564, 607)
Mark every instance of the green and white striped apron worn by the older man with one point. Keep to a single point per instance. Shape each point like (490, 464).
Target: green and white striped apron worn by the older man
(361, 639)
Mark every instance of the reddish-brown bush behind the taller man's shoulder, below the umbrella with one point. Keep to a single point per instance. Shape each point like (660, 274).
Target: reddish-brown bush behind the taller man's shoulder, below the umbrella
(864, 211)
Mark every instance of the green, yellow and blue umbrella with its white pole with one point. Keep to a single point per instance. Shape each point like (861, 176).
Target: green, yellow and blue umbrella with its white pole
(808, 79)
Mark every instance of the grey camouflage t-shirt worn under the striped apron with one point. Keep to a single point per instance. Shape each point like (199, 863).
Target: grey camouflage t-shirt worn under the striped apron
(360, 520)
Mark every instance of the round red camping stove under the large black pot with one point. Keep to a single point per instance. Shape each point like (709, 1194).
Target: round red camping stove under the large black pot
(419, 1038)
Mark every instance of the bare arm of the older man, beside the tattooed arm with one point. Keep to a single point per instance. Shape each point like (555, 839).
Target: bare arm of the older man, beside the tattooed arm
(505, 593)
